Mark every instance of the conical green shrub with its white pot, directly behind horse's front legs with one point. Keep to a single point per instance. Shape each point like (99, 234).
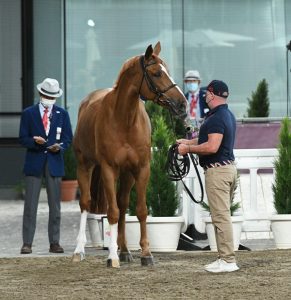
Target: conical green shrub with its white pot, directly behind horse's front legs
(163, 226)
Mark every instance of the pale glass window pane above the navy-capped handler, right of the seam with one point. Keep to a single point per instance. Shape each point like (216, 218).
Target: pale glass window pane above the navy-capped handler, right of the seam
(239, 42)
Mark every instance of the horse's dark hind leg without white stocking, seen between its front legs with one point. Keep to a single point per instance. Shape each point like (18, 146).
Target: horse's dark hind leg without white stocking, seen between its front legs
(125, 185)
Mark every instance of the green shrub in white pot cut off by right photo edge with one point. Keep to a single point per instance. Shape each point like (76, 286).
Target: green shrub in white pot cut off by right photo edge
(281, 223)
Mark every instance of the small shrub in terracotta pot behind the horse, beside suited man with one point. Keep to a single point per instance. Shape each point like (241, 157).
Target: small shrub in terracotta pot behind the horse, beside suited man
(69, 182)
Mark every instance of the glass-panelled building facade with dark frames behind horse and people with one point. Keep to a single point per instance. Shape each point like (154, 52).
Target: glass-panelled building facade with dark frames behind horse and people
(83, 44)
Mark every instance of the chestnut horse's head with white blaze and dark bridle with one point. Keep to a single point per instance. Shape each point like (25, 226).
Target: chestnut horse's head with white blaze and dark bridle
(158, 86)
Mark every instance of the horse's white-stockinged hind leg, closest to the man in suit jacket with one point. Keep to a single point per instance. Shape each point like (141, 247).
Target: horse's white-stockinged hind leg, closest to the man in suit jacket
(84, 180)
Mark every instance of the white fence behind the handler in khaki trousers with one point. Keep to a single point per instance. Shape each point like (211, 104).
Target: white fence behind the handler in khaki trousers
(254, 193)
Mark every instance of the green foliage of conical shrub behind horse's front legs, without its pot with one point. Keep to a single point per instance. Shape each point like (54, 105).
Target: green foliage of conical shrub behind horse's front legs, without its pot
(162, 199)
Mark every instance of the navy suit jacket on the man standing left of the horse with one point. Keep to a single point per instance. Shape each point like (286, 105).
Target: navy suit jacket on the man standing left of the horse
(37, 155)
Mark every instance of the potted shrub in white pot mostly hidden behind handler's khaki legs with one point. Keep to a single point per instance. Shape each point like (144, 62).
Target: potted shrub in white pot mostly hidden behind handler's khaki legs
(237, 222)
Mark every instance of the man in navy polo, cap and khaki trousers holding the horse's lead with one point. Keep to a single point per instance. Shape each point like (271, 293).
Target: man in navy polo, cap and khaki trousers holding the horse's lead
(214, 147)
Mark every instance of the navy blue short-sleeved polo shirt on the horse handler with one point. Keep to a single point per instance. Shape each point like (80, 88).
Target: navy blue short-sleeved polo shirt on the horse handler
(218, 120)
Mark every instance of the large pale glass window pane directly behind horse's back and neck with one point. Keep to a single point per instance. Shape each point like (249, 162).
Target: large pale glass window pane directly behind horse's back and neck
(101, 35)
